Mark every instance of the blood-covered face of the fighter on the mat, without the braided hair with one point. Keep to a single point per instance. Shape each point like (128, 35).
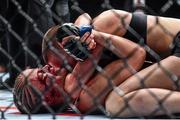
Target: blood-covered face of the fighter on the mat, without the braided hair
(48, 83)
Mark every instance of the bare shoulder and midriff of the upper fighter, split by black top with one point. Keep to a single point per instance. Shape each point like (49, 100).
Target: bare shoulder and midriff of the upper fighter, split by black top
(116, 26)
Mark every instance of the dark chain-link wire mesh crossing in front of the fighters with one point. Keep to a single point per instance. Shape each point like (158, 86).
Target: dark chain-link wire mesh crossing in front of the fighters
(106, 4)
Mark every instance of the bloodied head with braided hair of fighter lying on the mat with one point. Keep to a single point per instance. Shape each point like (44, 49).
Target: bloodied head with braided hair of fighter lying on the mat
(33, 86)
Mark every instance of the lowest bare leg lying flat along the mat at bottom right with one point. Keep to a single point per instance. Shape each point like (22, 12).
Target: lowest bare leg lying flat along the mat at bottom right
(144, 102)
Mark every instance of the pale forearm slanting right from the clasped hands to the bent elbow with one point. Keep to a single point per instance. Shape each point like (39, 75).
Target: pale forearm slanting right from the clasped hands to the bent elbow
(118, 45)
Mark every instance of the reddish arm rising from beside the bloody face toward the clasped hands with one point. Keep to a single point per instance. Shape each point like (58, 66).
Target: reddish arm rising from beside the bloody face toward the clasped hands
(81, 73)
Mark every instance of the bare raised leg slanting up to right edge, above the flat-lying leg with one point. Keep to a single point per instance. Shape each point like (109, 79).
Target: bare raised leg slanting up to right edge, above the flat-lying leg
(154, 77)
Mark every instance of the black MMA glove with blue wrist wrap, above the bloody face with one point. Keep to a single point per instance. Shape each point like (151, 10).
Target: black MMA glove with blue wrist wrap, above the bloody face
(74, 47)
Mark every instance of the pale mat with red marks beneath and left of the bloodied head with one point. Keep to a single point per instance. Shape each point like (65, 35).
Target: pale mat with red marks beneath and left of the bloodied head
(8, 111)
